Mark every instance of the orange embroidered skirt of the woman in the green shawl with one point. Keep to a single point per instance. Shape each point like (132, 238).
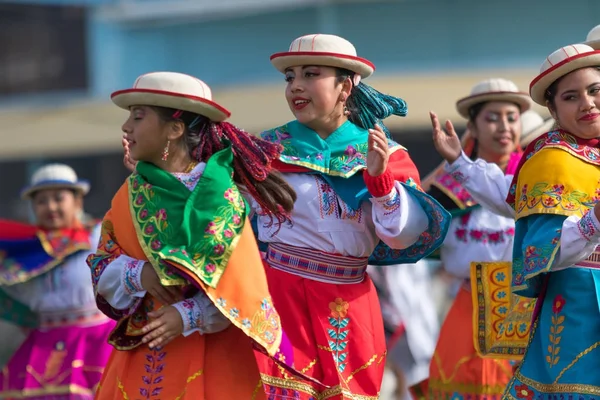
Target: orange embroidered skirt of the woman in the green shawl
(212, 367)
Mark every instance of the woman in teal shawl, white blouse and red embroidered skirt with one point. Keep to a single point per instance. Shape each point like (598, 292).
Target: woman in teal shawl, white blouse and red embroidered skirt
(357, 205)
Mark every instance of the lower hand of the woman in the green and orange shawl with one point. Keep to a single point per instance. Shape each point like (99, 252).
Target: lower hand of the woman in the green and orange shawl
(166, 327)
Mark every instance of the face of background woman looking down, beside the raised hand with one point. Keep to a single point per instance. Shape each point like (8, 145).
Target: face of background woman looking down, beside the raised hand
(497, 128)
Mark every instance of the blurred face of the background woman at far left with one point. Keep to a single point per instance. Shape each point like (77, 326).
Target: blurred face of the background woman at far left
(56, 208)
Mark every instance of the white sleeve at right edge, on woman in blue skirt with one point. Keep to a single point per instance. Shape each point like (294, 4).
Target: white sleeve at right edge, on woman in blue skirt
(578, 240)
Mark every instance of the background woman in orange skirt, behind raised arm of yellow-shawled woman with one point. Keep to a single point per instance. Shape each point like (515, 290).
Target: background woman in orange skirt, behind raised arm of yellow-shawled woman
(493, 110)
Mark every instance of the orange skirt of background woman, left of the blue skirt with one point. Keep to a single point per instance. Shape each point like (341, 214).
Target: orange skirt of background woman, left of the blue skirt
(456, 371)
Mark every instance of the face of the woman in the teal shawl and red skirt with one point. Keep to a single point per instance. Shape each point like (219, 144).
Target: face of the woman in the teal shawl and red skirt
(315, 95)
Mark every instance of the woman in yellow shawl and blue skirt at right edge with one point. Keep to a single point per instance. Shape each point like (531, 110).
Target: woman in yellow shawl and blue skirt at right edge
(554, 199)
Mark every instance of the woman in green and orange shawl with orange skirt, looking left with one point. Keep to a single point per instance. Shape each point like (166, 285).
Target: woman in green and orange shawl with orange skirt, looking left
(177, 264)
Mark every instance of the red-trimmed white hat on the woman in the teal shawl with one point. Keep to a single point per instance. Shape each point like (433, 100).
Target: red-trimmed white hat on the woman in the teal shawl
(321, 49)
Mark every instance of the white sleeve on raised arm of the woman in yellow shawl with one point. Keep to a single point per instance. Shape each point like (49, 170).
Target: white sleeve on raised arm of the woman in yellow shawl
(485, 181)
